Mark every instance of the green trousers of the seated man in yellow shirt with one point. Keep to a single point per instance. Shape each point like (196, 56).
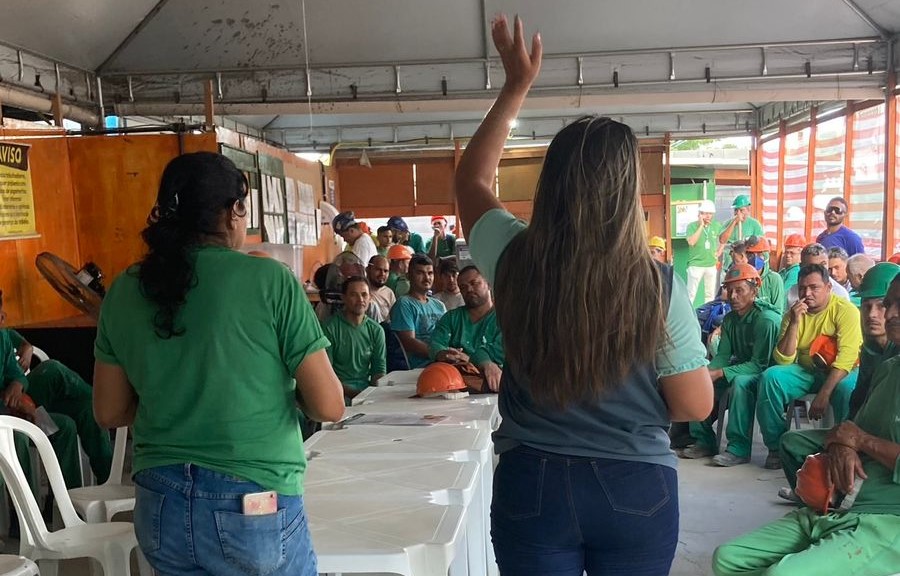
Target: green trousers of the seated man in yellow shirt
(781, 385)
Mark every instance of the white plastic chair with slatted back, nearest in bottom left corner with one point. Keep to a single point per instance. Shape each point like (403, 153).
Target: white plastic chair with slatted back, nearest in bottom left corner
(110, 543)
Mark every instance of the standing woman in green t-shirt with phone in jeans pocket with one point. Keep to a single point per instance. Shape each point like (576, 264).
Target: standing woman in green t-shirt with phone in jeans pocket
(198, 347)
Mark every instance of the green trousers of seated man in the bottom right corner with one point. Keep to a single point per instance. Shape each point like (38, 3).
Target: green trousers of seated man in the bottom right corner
(804, 543)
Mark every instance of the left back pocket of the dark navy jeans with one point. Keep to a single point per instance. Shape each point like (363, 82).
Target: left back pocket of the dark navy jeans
(518, 485)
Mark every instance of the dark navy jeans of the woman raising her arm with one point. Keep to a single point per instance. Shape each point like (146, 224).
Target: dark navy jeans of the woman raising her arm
(564, 515)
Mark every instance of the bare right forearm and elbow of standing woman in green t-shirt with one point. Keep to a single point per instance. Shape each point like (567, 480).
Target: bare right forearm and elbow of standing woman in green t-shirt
(319, 392)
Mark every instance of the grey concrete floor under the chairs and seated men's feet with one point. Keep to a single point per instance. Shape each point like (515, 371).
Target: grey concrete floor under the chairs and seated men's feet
(717, 504)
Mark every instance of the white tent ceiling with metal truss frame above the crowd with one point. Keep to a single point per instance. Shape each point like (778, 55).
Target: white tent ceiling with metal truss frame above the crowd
(402, 70)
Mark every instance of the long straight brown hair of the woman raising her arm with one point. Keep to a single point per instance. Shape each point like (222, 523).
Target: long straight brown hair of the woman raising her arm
(578, 296)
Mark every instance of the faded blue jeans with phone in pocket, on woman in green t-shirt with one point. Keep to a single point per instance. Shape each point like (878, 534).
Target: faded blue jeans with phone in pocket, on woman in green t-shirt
(188, 521)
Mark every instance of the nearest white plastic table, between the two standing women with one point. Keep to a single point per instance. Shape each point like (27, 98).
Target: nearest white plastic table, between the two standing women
(402, 516)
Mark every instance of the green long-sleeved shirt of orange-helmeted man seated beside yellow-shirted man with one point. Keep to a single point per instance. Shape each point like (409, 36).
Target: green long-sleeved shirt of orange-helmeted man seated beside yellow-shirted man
(747, 341)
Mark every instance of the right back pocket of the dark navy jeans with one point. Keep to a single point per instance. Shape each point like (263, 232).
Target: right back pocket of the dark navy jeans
(632, 487)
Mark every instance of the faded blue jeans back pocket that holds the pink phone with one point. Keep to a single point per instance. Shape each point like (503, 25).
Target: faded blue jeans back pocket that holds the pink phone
(253, 544)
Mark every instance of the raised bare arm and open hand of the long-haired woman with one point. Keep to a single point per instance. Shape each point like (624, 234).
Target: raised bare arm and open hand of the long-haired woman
(475, 175)
